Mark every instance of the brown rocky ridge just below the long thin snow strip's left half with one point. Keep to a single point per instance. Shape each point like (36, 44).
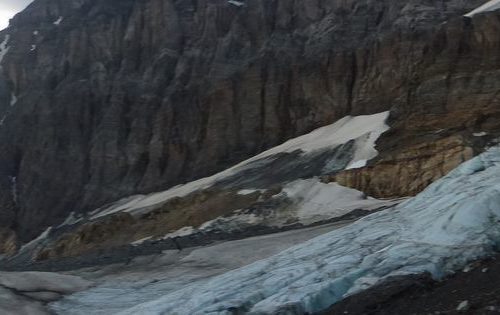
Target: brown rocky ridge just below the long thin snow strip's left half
(123, 228)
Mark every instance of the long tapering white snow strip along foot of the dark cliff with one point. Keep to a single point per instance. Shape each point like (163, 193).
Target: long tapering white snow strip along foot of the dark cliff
(363, 129)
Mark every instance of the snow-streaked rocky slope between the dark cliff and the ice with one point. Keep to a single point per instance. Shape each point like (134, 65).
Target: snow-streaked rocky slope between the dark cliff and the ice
(279, 189)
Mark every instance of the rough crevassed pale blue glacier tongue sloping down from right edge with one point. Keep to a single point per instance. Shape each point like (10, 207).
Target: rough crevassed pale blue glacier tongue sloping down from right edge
(453, 221)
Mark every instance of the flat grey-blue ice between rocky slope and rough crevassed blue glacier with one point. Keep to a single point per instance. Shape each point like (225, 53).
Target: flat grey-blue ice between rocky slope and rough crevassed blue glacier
(148, 278)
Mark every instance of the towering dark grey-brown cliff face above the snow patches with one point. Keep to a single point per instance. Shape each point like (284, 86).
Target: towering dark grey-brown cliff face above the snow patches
(102, 99)
